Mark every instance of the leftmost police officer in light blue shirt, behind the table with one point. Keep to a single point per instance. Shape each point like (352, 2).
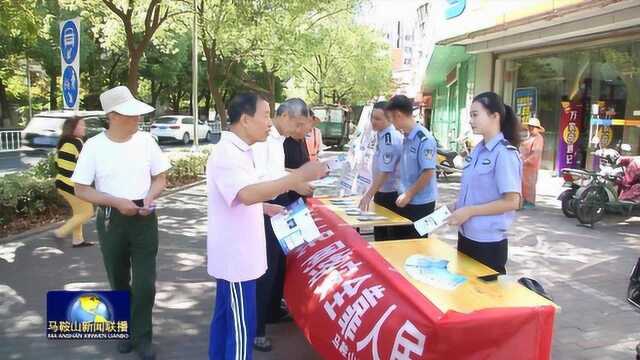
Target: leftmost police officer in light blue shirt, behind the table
(384, 189)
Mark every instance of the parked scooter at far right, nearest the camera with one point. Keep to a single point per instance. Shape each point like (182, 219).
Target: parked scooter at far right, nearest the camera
(603, 193)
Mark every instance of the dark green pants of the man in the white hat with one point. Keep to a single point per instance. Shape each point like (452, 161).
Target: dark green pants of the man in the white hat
(129, 247)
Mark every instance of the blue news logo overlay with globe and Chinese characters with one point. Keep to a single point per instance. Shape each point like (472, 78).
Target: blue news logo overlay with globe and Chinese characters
(90, 315)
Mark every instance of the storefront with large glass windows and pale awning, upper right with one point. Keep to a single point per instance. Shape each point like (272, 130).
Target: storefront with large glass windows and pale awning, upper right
(574, 64)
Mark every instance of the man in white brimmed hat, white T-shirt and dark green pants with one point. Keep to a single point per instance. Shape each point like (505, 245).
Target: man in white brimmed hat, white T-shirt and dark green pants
(127, 170)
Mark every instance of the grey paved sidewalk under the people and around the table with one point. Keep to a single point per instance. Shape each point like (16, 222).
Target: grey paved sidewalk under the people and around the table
(585, 270)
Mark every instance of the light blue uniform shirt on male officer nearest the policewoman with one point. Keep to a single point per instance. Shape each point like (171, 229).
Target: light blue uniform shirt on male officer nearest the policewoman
(419, 154)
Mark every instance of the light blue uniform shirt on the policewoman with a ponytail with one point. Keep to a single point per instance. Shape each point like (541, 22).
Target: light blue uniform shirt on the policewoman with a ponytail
(491, 170)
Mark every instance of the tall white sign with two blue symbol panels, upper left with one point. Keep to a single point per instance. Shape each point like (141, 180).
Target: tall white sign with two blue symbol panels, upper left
(70, 62)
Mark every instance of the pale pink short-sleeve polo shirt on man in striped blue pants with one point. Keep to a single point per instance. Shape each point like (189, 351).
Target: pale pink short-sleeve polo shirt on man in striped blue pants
(236, 248)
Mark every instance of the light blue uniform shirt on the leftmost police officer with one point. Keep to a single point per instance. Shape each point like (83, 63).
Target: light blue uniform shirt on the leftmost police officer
(387, 157)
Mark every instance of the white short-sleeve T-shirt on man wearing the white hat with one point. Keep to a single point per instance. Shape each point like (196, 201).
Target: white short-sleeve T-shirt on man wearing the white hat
(122, 170)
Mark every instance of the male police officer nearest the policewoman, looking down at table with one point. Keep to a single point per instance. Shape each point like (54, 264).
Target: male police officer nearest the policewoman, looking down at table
(418, 185)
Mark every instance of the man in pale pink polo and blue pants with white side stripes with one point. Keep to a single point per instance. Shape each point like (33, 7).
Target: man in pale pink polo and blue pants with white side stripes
(236, 246)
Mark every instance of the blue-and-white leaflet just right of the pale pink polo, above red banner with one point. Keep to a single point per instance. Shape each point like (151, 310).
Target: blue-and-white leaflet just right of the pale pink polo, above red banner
(295, 227)
